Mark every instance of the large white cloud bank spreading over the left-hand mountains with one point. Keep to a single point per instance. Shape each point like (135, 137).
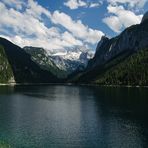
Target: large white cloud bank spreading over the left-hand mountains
(26, 24)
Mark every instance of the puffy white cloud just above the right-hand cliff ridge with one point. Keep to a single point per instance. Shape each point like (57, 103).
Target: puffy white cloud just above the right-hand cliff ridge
(120, 18)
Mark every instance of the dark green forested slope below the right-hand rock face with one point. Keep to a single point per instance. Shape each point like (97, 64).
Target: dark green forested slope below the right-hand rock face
(132, 71)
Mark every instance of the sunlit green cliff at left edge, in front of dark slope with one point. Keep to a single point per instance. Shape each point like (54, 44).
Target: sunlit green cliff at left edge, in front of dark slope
(6, 73)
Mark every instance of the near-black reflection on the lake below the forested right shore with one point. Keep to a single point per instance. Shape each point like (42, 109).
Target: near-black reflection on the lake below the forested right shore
(123, 97)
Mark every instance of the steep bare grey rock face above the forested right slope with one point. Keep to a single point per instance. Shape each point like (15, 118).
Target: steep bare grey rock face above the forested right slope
(129, 41)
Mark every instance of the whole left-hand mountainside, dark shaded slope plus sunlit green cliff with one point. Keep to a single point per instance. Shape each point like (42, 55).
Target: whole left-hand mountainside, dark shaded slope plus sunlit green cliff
(19, 65)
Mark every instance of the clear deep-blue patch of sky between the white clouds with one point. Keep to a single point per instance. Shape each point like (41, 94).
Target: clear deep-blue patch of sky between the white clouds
(89, 16)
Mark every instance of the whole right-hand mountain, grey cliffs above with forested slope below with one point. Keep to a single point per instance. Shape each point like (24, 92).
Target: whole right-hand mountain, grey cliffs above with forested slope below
(121, 51)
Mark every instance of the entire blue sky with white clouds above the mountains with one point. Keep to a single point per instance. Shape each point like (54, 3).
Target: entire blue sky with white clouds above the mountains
(67, 24)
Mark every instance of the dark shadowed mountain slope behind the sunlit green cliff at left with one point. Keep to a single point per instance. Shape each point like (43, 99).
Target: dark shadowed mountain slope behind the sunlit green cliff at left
(25, 70)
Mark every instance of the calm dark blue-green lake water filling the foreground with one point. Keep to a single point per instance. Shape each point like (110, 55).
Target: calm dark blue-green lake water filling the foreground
(72, 116)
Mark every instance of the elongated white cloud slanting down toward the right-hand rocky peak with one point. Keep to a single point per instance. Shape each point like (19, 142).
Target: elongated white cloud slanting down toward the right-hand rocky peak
(77, 28)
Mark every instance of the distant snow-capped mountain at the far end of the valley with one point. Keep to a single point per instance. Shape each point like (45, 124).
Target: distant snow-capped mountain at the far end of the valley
(70, 60)
